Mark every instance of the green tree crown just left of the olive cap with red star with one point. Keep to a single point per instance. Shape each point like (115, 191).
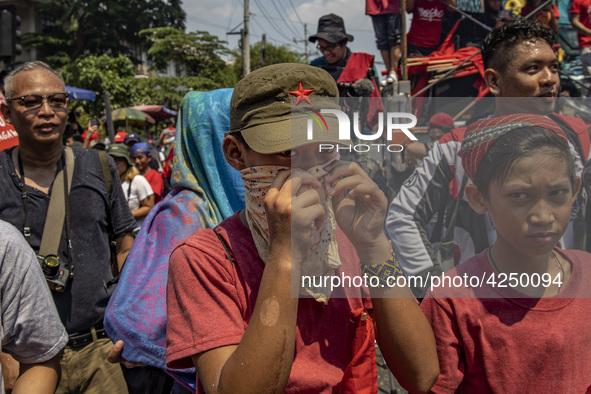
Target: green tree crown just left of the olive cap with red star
(198, 53)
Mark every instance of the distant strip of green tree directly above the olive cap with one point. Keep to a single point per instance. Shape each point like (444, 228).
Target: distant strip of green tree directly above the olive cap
(272, 55)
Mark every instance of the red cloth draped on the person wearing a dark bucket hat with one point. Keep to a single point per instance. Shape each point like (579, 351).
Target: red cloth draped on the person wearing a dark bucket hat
(357, 66)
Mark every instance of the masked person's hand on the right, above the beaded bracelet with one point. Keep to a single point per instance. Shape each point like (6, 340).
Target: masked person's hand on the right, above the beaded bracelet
(359, 207)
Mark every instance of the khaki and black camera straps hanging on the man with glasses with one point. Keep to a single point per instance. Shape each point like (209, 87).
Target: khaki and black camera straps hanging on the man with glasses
(58, 209)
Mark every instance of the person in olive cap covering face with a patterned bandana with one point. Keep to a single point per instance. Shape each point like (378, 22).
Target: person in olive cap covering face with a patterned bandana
(238, 309)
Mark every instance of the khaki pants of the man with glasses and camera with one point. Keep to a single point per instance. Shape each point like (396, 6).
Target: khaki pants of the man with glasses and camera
(86, 370)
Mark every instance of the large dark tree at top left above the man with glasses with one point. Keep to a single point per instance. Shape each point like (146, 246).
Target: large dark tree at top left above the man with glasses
(76, 28)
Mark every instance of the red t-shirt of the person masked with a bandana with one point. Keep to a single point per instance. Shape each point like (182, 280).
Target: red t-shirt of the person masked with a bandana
(210, 303)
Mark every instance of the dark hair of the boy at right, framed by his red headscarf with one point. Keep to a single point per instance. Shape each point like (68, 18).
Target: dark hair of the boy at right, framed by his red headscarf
(520, 143)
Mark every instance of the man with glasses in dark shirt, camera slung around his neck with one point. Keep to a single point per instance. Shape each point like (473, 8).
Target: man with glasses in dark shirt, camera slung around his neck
(30, 176)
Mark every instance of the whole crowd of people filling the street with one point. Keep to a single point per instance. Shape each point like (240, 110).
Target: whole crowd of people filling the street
(184, 269)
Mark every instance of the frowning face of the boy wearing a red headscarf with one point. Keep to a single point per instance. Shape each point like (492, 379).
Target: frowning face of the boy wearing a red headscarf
(532, 208)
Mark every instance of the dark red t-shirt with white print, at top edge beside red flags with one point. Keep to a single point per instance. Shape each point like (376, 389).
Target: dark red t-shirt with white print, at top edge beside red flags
(427, 19)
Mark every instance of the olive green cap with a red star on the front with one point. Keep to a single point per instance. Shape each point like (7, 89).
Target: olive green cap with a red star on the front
(271, 119)
